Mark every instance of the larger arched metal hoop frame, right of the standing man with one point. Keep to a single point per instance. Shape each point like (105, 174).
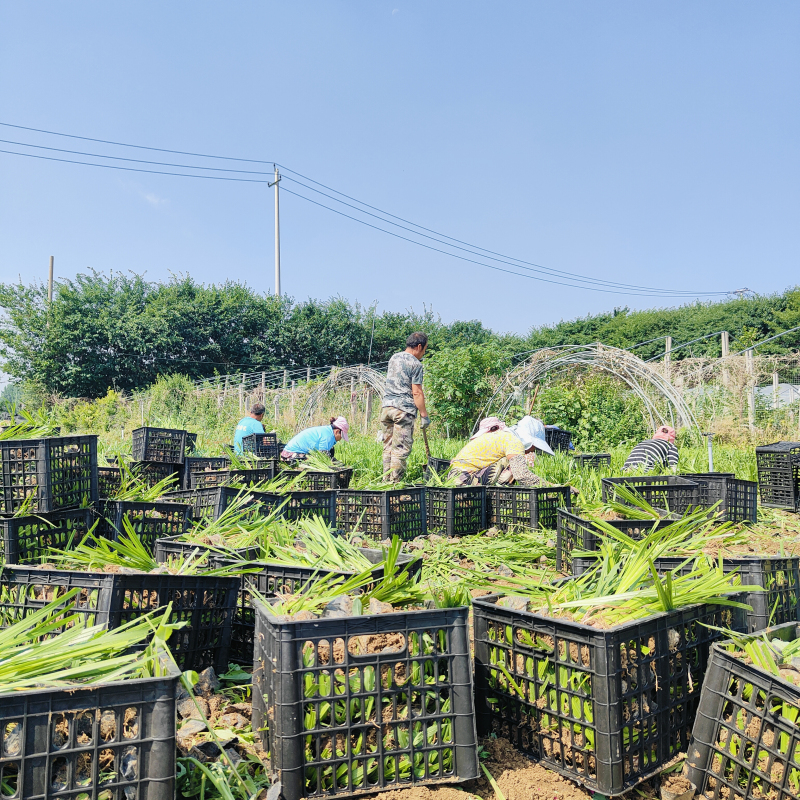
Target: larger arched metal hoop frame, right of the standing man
(622, 364)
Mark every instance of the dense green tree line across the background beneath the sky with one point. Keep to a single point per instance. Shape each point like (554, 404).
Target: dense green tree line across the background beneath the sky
(121, 331)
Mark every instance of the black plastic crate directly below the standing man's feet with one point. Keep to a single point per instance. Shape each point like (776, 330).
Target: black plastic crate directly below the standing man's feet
(387, 513)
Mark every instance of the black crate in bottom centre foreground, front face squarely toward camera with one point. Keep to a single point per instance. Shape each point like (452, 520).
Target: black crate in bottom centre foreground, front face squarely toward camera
(419, 685)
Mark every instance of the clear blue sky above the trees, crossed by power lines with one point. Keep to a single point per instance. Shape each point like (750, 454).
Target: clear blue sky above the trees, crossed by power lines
(645, 143)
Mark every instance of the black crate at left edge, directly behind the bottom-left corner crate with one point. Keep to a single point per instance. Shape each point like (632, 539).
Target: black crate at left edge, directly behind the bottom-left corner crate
(206, 603)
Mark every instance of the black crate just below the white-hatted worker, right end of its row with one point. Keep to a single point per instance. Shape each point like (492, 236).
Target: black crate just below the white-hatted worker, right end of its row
(519, 506)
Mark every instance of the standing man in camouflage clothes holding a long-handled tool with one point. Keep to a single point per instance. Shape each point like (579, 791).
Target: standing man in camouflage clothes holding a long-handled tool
(402, 398)
